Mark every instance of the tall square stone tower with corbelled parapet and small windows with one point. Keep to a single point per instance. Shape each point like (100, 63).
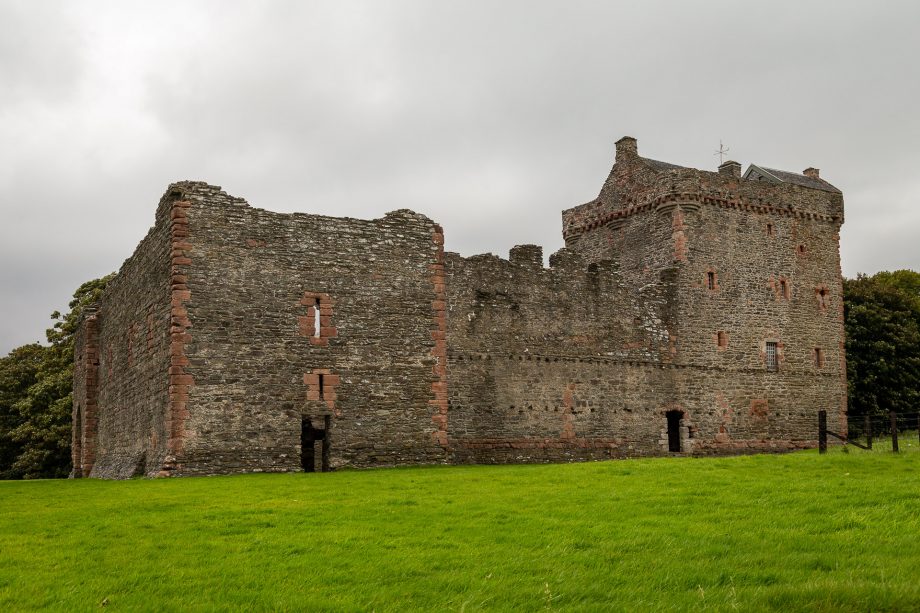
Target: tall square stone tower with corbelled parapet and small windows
(773, 253)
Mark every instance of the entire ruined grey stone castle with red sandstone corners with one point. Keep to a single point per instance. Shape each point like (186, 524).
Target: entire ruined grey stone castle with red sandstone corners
(690, 312)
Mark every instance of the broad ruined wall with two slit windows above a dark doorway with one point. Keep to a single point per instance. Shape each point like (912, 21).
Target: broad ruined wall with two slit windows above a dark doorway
(254, 363)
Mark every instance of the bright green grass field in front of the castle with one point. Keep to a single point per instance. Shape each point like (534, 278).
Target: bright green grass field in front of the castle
(794, 532)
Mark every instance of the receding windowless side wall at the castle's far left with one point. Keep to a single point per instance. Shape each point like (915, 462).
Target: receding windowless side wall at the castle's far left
(127, 357)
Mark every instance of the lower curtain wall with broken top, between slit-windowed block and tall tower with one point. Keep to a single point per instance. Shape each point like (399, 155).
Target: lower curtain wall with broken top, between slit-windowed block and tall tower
(549, 364)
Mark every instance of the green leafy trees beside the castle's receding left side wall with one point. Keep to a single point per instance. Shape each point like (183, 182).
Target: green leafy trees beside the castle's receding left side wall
(39, 390)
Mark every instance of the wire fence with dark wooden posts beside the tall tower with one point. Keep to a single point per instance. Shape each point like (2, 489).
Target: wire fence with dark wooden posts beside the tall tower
(894, 432)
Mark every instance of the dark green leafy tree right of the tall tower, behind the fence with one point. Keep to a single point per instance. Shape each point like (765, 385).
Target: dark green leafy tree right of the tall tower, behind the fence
(882, 319)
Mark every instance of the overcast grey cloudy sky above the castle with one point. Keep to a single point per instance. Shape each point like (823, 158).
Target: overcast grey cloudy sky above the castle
(489, 117)
